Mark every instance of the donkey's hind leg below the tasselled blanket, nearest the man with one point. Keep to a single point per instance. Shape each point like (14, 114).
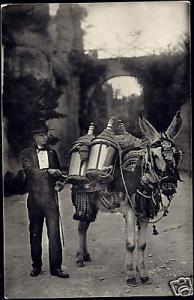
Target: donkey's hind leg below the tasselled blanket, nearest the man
(82, 254)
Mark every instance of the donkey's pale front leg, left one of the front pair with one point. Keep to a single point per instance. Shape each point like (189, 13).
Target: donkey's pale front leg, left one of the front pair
(130, 246)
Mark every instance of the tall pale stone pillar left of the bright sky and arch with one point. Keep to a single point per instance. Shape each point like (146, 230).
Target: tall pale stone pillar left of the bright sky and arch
(66, 33)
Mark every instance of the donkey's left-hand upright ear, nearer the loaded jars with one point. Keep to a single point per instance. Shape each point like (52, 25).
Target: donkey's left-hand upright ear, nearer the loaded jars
(149, 131)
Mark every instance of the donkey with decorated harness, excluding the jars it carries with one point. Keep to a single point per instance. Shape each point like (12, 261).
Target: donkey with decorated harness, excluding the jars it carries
(138, 192)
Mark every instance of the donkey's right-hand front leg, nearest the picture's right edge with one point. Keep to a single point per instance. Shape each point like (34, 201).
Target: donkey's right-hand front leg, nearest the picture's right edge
(141, 246)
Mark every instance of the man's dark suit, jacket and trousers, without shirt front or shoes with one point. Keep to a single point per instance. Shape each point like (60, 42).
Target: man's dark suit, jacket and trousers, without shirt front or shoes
(42, 203)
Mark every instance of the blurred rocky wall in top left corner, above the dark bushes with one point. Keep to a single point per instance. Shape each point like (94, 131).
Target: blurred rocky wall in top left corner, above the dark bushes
(30, 45)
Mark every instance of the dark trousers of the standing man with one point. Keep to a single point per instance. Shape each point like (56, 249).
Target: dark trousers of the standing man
(37, 212)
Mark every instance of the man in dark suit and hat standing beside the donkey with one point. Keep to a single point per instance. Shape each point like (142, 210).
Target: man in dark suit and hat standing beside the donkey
(42, 168)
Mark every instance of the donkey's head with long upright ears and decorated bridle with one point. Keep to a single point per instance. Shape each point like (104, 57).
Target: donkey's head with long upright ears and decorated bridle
(162, 157)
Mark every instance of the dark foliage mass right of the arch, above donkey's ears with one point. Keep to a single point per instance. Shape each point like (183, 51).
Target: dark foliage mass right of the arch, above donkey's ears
(169, 82)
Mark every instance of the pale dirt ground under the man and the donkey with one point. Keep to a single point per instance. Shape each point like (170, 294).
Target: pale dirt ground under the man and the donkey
(168, 255)
